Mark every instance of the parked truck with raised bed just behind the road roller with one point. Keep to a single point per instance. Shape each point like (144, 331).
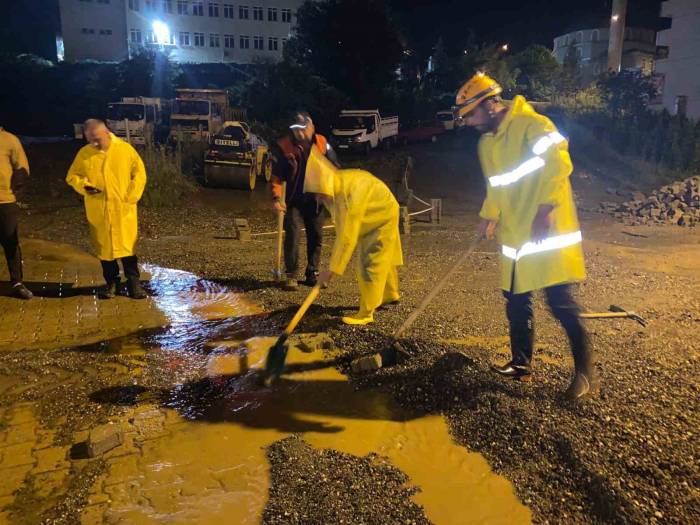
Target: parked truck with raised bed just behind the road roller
(199, 114)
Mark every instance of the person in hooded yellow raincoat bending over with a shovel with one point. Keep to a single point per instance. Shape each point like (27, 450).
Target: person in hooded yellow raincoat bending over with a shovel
(366, 217)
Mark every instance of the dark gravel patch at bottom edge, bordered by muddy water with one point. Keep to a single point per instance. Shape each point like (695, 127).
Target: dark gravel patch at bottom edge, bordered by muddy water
(311, 486)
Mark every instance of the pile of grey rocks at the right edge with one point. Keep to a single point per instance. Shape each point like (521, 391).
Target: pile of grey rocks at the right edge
(677, 203)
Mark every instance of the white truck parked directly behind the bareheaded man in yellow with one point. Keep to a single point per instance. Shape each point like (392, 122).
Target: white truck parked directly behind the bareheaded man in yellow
(138, 120)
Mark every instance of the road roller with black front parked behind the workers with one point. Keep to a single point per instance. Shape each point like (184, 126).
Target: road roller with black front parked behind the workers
(236, 157)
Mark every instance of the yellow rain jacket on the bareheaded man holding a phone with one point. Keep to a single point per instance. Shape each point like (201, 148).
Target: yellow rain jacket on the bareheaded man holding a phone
(121, 176)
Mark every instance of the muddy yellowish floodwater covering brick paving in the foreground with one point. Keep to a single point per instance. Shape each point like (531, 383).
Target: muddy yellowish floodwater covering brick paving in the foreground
(196, 426)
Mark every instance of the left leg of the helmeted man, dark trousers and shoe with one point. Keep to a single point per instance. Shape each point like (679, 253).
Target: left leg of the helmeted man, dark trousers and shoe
(522, 335)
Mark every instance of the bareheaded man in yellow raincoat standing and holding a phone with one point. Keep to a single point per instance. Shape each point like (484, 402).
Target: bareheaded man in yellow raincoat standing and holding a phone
(110, 175)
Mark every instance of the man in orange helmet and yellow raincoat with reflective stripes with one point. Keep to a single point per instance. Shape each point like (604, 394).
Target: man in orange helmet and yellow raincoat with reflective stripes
(528, 197)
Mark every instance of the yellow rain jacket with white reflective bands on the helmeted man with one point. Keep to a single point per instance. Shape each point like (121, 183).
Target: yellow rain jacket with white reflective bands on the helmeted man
(526, 163)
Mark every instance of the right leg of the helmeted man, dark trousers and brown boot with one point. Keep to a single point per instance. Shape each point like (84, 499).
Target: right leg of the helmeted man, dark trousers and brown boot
(566, 311)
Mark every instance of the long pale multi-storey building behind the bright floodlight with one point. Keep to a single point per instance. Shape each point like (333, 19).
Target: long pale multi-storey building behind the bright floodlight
(192, 31)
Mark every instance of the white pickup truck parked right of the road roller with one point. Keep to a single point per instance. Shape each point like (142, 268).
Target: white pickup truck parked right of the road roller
(363, 130)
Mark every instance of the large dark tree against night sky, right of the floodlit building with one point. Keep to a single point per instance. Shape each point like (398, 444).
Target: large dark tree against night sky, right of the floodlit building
(351, 44)
